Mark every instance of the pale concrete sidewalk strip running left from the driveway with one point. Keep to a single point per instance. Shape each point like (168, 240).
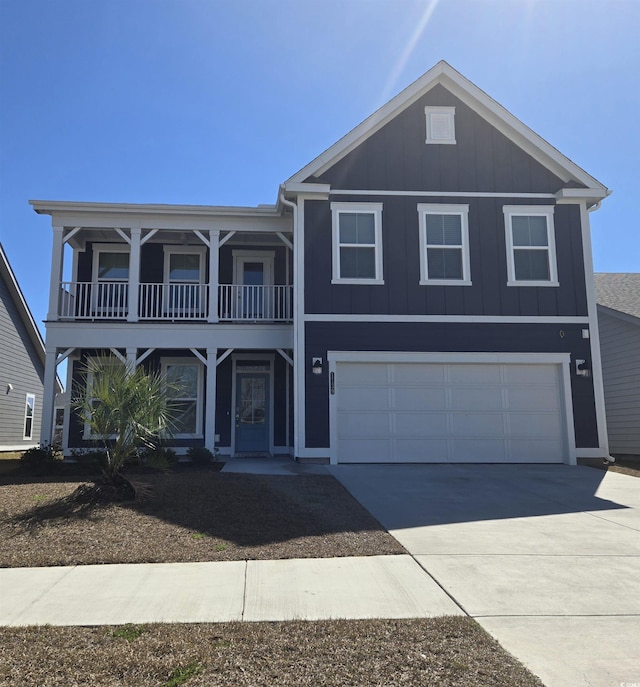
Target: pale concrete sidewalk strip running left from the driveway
(301, 589)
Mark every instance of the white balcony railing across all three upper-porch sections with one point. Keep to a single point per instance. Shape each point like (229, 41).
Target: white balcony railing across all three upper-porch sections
(175, 302)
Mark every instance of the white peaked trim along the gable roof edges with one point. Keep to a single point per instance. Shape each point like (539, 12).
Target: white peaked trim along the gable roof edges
(443, 74)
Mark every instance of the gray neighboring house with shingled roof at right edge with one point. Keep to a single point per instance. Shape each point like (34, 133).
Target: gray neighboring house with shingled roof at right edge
(618, 298)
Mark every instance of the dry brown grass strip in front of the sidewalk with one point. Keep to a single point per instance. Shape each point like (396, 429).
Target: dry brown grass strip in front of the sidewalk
(407, 653)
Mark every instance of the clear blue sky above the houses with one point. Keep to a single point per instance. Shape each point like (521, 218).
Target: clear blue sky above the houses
(218, 101)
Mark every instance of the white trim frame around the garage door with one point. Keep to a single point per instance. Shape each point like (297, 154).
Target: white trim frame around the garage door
(562, 359)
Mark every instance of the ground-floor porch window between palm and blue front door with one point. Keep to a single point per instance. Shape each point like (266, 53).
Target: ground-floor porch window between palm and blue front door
(187, 400)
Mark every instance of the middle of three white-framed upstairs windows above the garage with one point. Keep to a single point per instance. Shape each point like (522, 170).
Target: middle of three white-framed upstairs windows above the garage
(444, 244)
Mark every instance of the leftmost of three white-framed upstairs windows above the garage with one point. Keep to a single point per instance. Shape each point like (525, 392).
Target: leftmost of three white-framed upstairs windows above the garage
(357, 243)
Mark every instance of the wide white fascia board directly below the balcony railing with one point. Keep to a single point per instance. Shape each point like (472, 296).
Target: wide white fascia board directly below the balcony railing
(170, 335)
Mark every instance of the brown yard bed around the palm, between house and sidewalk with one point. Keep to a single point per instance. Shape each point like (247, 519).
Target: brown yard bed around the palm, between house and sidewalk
(189, 515)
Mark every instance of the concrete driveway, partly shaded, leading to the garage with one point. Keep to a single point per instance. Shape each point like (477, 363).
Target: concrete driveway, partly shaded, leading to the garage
(545, 558)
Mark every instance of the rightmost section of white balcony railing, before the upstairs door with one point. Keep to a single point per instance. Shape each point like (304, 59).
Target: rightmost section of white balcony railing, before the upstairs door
(240, 302)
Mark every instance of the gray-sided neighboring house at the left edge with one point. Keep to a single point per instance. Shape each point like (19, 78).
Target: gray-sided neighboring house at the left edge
(21, 366)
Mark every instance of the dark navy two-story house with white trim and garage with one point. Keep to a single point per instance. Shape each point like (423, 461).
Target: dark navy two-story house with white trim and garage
(421, 291)
